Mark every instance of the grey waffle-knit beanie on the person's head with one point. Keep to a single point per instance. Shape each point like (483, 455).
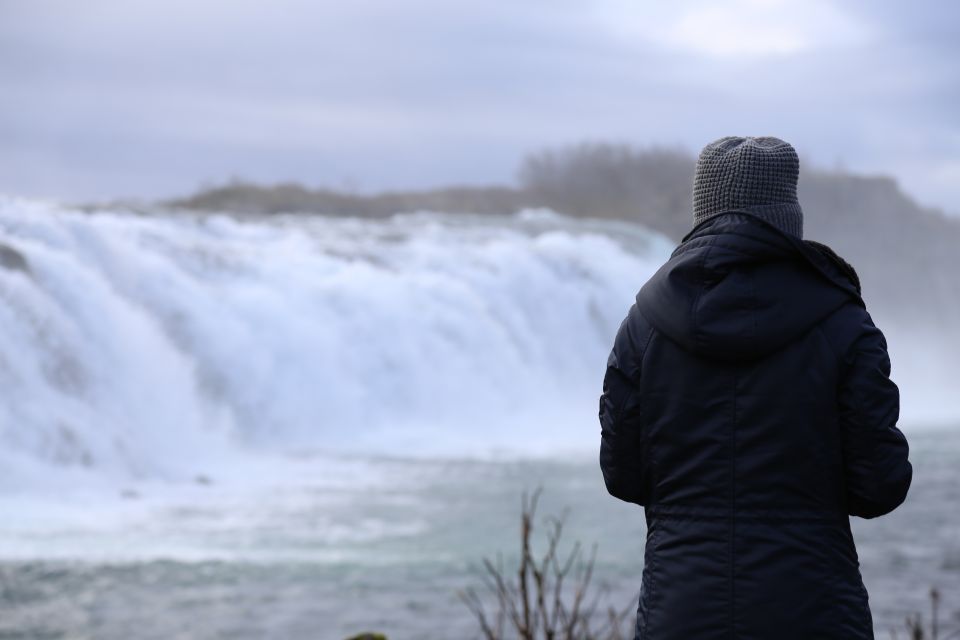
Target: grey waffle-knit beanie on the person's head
(749, 175)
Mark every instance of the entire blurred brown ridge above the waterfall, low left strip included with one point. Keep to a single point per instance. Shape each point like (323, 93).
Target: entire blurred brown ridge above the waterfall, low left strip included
(907, 255)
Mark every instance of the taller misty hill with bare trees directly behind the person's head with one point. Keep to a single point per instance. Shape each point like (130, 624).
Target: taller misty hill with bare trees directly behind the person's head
(907, 255)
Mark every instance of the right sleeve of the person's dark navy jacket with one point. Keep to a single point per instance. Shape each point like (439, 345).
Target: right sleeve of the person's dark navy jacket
(875, 451)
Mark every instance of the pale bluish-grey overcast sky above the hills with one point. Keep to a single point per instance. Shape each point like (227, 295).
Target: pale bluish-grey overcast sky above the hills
(151, 98)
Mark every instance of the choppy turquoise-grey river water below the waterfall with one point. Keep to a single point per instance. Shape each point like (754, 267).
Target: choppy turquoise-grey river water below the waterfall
(323, 561)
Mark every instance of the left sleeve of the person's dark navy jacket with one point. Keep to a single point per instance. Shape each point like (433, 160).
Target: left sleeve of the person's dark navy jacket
(621, 429)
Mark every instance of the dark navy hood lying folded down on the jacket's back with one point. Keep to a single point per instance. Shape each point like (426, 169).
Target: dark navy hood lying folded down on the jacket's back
(737, 288)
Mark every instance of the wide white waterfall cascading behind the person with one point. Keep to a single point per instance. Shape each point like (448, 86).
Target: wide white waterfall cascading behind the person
(148, 346)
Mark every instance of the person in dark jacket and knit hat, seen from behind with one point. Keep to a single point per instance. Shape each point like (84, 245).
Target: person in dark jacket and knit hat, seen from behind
(747, 405)
